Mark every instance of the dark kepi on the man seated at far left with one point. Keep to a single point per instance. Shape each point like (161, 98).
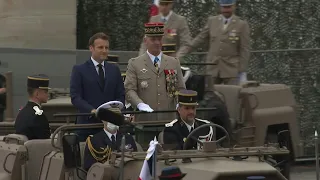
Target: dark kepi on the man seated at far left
(40, 81)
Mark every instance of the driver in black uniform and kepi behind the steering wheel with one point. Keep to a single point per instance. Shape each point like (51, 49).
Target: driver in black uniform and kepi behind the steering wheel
(178, 130)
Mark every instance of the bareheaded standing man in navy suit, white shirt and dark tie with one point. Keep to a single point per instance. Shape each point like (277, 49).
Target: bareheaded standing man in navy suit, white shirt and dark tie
(95, 82)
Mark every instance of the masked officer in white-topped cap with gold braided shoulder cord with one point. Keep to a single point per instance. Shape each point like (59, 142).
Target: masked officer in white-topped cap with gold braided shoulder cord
(99, 146)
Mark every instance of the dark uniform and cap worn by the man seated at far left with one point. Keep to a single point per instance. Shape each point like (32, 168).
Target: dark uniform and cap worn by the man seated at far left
(31, 121)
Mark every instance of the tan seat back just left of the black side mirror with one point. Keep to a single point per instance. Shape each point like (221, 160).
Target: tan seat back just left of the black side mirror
(37, 150)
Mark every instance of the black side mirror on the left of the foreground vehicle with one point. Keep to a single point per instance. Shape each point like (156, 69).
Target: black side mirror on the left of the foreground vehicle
(71, 151)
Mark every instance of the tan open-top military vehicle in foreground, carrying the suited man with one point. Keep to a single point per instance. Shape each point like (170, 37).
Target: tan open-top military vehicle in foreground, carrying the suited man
(61, 157)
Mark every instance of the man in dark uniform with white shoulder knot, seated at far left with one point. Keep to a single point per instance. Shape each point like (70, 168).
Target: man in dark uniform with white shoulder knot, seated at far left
(31, 121)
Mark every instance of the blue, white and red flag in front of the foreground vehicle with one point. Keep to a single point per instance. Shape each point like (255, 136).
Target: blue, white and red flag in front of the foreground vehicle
(146, 171)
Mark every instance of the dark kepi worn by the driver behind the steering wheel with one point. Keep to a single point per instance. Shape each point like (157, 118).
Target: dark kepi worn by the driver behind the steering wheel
(188, 97)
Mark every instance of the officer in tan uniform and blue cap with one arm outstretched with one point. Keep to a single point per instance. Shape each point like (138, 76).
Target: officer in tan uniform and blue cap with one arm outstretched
(229, 40)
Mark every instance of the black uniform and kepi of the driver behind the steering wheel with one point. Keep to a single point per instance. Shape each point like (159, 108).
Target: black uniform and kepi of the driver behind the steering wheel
(176, 132)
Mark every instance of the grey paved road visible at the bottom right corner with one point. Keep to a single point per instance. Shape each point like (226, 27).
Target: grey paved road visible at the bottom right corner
(303, 172)
